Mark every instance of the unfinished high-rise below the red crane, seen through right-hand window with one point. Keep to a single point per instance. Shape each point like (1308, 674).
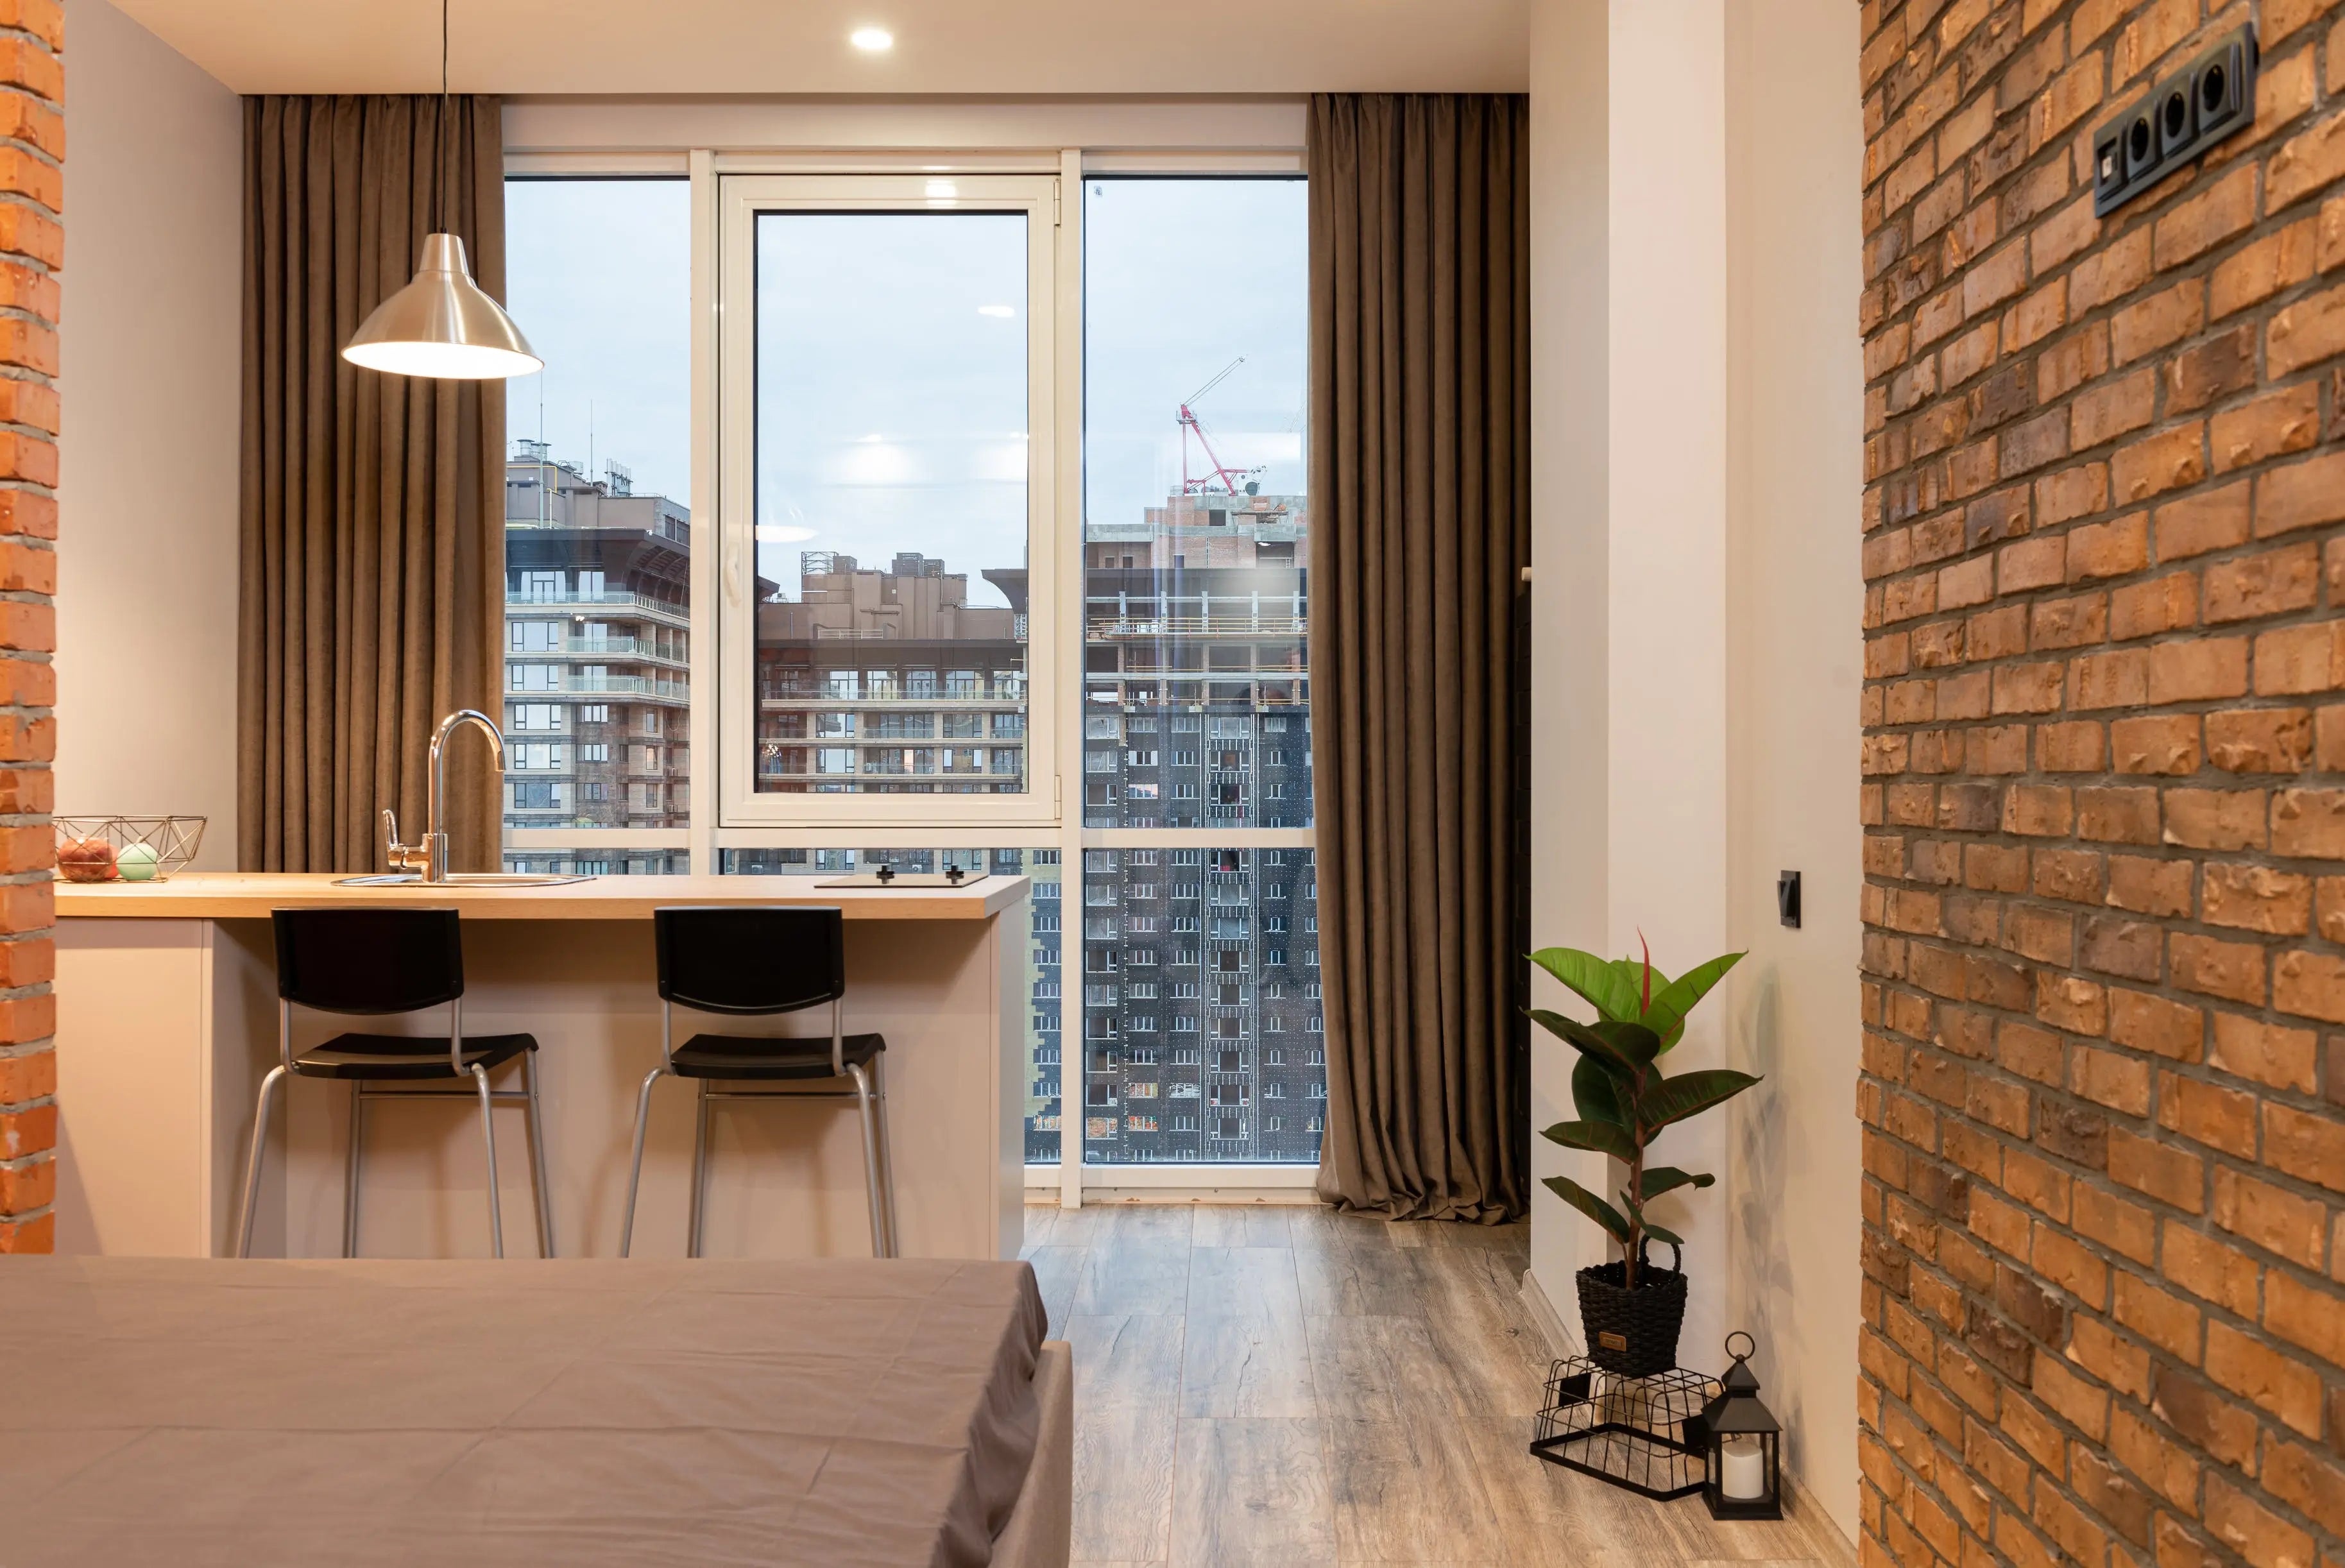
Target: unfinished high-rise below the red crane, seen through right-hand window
(1202, 997)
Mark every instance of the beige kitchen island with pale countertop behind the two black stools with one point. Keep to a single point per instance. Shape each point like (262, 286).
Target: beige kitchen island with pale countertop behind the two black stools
(168, 1023)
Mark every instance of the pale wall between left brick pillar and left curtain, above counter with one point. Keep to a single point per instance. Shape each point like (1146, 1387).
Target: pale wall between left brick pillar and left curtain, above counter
(147, 599)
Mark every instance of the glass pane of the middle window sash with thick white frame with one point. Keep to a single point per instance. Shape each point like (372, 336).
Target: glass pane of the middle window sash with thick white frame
(892, 503)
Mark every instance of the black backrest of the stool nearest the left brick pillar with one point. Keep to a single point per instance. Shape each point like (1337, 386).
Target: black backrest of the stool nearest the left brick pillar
(369, 960)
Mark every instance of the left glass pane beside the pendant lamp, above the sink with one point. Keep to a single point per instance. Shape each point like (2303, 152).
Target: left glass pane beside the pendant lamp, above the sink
(597, 533)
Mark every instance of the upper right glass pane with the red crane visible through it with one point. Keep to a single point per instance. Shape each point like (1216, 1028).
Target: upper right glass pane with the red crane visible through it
(1197, 697)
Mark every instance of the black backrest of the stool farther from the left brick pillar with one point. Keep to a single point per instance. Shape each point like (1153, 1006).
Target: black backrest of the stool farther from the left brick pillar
(726, 960)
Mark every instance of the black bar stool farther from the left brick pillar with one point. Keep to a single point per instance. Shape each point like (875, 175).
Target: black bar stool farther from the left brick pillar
(761, 962)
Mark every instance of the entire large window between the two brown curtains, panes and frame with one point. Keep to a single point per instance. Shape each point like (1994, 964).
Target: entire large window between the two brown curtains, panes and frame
(998, 486)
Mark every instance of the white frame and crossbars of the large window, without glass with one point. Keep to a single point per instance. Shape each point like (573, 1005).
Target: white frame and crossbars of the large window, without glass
(1054, 744)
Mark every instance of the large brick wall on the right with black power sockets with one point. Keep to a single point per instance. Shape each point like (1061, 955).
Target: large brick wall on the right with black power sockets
(2105, 798)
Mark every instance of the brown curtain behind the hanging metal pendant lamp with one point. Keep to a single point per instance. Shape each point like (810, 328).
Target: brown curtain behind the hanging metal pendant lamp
(374, 505)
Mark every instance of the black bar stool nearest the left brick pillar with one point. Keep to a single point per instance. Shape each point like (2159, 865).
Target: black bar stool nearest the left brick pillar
(372, 962)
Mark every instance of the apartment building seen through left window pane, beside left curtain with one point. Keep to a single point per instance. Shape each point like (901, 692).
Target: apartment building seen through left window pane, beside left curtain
(597, 657)
